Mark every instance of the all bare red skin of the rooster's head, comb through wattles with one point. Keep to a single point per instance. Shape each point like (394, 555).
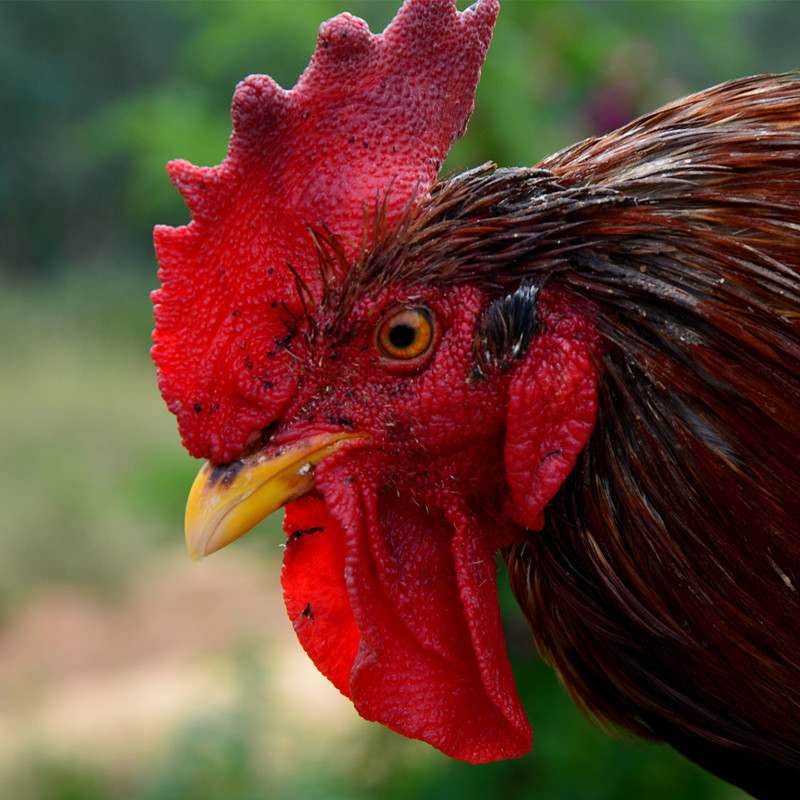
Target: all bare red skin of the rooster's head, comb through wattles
(389, 571)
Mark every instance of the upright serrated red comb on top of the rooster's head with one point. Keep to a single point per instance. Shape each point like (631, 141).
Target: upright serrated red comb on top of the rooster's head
(370, 112)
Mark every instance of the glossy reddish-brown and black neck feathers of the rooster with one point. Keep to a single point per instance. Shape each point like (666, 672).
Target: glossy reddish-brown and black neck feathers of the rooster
(664, 587)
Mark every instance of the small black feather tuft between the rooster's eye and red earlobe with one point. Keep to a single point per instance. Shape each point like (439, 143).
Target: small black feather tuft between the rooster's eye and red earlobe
(507, 327)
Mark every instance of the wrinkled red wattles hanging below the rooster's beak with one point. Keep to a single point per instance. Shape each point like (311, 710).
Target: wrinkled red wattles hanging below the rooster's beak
(417, 597)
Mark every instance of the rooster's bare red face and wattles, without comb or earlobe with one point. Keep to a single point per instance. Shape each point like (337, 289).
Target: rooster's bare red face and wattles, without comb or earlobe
(395, 598)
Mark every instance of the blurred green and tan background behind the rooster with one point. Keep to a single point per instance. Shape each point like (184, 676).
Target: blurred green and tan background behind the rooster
(125, 672)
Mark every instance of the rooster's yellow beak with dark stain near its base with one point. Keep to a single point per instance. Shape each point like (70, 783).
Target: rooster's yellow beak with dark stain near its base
(228, 500)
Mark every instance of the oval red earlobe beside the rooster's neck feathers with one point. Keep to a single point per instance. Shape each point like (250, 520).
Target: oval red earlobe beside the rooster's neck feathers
(552, 409)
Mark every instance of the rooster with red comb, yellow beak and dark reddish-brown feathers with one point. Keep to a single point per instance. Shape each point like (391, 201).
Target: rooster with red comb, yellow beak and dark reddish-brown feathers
(591, 366)
